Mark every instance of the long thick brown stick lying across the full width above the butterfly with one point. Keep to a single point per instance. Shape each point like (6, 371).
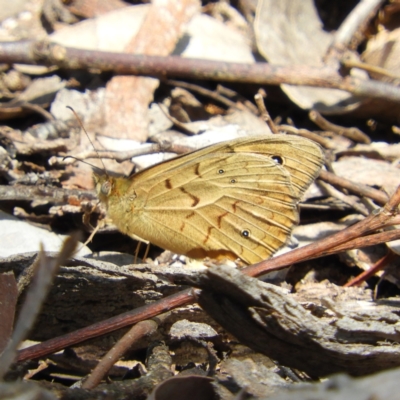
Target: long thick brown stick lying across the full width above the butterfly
(44, 53)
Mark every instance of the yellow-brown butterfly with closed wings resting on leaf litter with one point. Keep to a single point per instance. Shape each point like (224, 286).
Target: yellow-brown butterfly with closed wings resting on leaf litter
(236, 199)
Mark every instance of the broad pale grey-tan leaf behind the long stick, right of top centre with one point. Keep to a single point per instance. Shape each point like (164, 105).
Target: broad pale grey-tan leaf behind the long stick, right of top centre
(290, 33)
